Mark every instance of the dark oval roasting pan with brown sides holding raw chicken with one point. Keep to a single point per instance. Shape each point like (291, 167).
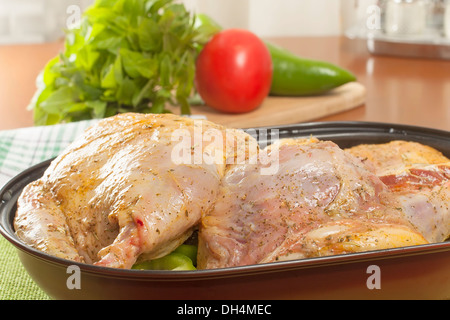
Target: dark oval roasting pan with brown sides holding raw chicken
(416, 272)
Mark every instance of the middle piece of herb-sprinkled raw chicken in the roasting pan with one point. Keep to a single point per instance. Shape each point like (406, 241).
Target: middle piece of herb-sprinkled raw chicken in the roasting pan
(322, 201)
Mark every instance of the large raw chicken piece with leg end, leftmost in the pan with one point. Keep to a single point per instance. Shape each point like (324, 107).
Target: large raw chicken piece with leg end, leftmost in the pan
(132, 186)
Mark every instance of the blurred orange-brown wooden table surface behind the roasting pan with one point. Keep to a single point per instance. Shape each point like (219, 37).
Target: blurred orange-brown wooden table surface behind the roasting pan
(399, 90)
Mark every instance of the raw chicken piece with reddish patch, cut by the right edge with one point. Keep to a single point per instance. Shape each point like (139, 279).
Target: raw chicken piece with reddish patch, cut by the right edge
(420, 178)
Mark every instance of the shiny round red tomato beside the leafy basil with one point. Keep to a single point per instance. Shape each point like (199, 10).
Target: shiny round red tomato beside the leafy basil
(234, 71)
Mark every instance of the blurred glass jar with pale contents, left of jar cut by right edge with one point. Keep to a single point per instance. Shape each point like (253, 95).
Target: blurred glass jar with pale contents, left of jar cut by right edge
(405, 17)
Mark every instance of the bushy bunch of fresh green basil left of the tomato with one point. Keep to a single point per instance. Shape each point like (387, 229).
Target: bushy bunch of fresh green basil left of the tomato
(126, 56)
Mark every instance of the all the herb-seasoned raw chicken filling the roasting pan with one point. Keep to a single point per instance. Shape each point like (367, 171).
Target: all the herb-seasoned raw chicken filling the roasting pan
(136, 186)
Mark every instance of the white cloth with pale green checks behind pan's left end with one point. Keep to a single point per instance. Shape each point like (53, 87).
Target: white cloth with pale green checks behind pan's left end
(25, 147)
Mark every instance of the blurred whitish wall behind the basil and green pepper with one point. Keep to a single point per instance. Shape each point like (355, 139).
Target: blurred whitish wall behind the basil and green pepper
(36, 21)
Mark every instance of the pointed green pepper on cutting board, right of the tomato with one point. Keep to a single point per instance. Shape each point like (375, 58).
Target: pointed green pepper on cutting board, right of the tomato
(296, 76)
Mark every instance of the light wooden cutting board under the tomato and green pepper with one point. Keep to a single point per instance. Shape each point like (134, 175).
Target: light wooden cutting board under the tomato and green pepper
(289, 110)
